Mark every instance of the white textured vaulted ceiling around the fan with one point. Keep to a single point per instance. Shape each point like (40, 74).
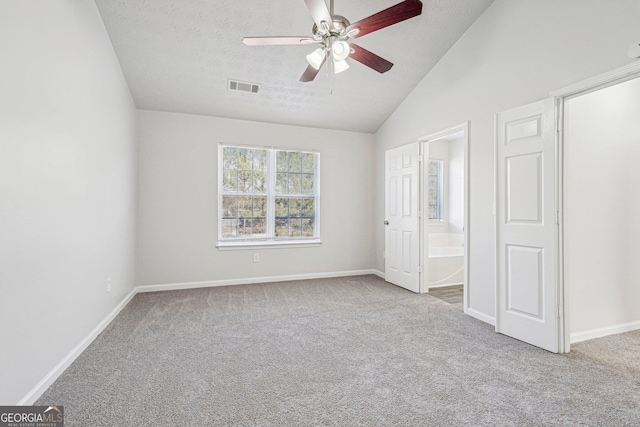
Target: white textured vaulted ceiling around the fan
(177, 56)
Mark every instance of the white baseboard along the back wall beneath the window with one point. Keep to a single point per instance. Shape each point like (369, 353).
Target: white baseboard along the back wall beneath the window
(251, 280)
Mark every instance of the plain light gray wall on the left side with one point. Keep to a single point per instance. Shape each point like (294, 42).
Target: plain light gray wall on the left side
(67, 185)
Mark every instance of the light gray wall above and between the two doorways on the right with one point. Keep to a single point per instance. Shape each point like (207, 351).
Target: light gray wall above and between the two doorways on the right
(514, 54)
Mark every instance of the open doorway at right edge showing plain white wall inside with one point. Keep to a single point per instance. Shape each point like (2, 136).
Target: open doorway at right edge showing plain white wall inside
(601, 206)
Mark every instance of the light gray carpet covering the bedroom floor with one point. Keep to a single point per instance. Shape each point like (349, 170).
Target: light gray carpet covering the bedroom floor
(347, 352)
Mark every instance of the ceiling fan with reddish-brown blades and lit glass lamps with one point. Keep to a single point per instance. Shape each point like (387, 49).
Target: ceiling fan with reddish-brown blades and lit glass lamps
(333, 32)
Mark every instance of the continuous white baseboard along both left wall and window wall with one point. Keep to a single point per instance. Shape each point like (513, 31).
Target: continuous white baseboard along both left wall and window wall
(53, 375)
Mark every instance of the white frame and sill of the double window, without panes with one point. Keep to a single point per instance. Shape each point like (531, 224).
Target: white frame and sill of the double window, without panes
(271, 240)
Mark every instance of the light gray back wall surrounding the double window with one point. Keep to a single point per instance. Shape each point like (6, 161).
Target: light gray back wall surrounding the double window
(178, 200)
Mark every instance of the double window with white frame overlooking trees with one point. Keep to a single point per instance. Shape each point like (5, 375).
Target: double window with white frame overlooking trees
(267, 196)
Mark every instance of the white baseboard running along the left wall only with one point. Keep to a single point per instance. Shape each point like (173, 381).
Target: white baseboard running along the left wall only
(53, 375)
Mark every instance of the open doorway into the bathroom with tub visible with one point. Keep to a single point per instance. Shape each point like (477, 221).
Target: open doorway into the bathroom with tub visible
(445, 216)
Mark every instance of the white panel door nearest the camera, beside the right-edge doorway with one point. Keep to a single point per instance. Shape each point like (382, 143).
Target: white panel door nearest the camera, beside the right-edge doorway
(526, 306)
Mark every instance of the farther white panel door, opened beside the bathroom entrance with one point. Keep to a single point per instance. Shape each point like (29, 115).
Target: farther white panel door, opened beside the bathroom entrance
(402, 240)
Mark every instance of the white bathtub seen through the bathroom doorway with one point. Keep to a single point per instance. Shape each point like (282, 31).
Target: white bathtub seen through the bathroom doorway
(446, 265)
